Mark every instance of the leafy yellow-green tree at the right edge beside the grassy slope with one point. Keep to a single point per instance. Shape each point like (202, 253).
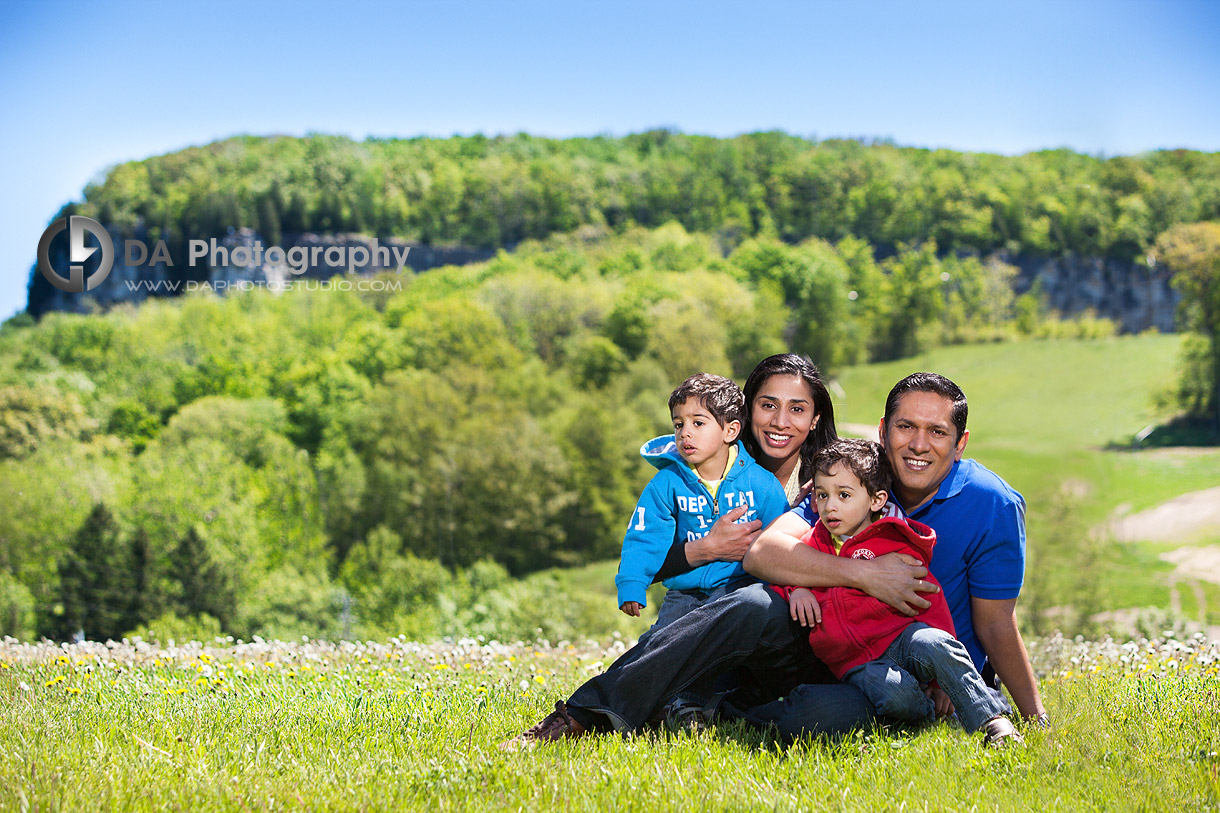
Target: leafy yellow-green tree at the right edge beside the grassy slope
(1194, 253)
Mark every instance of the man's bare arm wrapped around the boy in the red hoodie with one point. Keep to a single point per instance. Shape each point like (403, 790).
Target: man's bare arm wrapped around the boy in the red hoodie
(781, 558)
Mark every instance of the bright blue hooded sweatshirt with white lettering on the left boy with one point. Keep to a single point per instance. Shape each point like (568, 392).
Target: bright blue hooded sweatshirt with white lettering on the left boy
(676, 507)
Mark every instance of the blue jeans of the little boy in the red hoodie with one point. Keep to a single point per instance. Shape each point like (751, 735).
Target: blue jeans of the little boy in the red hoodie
(924, 654)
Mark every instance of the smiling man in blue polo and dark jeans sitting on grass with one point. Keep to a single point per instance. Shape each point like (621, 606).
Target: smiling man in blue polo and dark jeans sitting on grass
(980, 561)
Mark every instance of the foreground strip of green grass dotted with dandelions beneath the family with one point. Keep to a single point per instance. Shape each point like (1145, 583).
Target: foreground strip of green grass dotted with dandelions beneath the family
(402, 727)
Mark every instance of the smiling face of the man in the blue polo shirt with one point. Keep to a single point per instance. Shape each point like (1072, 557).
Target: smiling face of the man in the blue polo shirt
(922, 445)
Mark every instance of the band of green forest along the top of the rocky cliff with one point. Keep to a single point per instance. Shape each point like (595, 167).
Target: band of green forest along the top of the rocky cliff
(497, 192)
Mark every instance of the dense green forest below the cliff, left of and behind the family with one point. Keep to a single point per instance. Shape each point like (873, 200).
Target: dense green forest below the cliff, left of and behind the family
(285, 464)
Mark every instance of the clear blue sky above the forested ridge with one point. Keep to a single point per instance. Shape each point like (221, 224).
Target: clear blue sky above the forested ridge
(85, 86)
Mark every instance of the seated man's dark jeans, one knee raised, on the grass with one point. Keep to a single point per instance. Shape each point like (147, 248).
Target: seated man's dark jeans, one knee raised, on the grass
(748, 628)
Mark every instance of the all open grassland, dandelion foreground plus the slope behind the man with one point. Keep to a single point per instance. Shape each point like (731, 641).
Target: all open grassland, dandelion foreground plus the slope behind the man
(407, 726)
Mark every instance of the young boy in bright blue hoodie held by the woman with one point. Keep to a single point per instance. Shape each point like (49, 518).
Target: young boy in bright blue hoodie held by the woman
(705, 472)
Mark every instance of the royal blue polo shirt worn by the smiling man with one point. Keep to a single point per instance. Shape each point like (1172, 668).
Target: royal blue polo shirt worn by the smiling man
(980, 543)
